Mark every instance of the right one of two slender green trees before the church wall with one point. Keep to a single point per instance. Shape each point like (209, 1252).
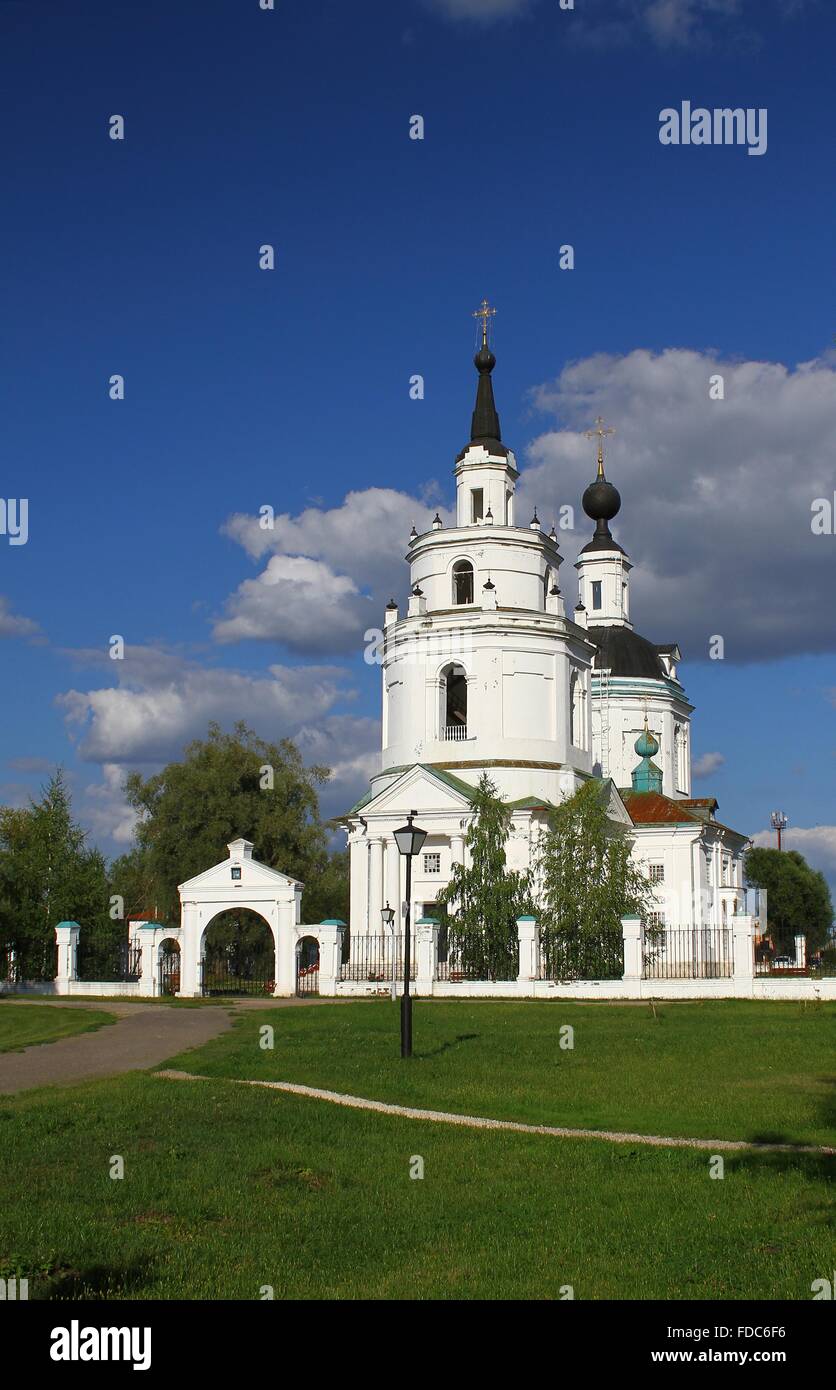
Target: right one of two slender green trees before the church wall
(586, 883)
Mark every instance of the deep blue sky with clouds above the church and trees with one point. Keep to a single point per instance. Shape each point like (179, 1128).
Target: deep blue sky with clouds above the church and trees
(291, 387)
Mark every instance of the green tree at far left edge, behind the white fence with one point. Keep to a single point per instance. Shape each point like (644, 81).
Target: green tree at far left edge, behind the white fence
(48, 875)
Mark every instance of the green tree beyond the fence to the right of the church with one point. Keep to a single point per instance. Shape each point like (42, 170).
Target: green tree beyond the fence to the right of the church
(798, 897)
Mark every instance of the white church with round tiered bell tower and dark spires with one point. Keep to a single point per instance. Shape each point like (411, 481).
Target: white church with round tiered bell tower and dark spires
(489, 672)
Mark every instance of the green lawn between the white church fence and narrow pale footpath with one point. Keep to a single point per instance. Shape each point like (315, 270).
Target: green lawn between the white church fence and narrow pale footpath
(730, 1070)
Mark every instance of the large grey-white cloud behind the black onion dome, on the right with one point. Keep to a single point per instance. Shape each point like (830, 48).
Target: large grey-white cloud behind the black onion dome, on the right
(717, 494)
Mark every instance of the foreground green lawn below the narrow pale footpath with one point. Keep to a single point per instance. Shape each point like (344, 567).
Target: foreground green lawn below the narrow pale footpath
(229, 1189)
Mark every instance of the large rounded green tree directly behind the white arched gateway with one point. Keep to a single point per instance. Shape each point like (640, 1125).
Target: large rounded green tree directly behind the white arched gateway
(229, 786)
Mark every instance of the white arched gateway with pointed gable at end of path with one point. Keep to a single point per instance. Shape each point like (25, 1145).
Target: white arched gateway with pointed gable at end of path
(237, 883)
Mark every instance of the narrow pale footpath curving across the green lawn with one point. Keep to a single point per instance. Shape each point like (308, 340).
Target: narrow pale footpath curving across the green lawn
(411, 1113)
